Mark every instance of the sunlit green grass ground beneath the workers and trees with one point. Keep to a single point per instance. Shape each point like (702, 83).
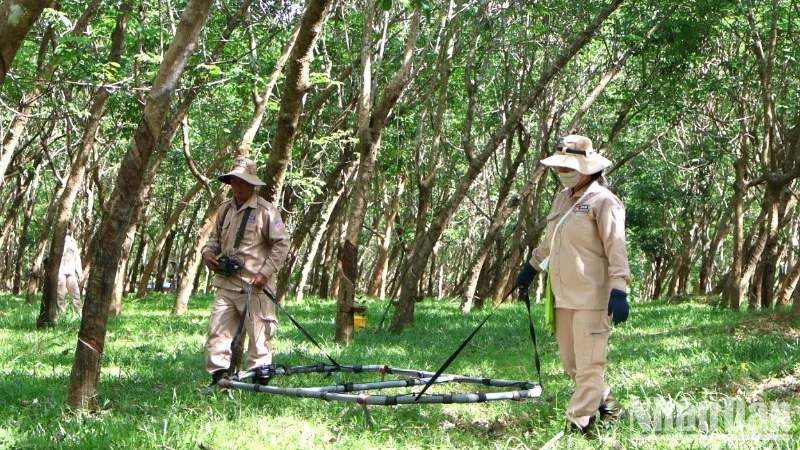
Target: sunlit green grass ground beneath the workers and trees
(687, 356)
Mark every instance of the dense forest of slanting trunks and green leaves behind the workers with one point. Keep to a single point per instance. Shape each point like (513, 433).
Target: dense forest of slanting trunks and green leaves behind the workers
(401, 142)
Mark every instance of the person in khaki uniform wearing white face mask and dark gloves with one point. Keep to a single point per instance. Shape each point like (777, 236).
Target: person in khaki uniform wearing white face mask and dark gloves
(585, 252)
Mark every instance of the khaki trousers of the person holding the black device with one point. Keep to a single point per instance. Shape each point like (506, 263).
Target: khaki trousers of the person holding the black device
(260, 325)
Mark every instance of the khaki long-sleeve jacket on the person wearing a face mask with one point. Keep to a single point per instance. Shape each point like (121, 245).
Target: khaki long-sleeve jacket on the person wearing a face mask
(589, 255)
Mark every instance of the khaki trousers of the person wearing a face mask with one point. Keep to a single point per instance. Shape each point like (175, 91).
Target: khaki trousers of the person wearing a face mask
(583, 343)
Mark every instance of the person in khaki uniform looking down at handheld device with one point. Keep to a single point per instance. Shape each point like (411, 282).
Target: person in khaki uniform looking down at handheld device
(246, 249)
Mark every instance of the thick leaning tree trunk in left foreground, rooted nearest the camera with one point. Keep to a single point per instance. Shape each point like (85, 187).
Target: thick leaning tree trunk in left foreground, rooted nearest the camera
(125, 207)
